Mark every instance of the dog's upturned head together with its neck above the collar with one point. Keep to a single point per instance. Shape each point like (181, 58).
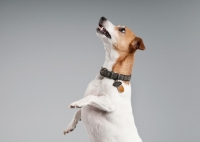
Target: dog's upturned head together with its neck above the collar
(120, 44)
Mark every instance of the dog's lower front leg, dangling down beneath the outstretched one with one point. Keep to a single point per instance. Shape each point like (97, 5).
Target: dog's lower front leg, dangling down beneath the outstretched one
(74, 122)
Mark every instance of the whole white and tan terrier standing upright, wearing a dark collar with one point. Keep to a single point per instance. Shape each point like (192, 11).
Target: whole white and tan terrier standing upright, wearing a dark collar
(106, 107)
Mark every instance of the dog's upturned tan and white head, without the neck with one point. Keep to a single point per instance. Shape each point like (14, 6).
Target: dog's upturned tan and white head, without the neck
(121, 38)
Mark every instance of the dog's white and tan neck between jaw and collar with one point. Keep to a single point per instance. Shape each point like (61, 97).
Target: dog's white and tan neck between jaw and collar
(118, 62)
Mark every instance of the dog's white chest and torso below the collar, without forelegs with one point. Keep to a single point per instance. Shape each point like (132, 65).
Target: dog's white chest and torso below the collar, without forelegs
(104, 126)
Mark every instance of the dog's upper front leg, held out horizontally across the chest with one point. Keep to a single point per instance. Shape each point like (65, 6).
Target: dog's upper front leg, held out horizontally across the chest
(102, 102)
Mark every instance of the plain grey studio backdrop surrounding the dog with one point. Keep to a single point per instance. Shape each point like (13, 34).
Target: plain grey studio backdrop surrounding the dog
(49, 53)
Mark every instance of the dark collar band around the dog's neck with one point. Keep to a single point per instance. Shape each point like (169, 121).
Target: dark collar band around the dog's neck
(115, 76)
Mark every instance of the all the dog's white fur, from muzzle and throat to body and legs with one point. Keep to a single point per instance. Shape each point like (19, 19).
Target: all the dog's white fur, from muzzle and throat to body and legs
(106, 113)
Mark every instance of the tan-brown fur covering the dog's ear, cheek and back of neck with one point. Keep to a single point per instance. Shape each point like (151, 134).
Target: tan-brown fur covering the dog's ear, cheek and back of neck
(127, 44)
